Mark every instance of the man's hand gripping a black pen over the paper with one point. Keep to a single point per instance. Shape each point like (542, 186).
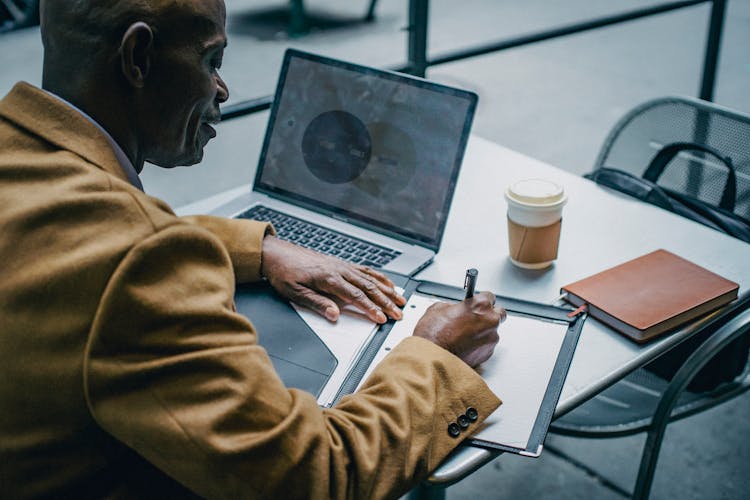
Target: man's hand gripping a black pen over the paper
(468, 329)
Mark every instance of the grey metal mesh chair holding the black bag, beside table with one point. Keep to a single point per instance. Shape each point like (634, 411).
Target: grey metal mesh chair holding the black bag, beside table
(644, 401)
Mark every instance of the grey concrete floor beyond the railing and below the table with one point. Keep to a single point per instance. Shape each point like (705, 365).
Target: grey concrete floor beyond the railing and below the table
(554, 101)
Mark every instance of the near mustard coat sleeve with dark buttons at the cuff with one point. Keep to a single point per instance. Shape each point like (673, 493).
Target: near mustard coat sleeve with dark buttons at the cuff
(173, 372)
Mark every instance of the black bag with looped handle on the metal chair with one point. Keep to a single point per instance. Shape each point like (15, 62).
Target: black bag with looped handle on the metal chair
(732, 360)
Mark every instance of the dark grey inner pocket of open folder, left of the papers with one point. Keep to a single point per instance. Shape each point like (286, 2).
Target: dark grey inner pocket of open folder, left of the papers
(301, 359)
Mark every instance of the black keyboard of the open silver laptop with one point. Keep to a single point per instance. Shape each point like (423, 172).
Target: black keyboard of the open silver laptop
(323, 240)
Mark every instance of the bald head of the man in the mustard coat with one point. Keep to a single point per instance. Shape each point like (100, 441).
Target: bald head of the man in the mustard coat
(121, 61)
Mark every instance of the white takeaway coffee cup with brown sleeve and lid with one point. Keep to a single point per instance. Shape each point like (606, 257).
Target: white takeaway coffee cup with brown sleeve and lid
(534, 221)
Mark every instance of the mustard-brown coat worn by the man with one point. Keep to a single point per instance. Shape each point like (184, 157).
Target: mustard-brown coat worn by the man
(126, 372)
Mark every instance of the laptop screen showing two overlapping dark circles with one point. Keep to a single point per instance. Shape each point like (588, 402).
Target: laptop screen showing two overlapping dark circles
(375, 148)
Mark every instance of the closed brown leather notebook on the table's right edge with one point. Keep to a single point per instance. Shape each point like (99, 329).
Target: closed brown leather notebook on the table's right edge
(651, 294)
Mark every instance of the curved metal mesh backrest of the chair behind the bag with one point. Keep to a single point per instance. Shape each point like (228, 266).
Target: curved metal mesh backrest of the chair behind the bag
(641, 134)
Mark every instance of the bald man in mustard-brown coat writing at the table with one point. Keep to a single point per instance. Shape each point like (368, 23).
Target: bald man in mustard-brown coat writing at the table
(125, 371)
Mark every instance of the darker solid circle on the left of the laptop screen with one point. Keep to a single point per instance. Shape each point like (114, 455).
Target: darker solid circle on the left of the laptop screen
(336, 147)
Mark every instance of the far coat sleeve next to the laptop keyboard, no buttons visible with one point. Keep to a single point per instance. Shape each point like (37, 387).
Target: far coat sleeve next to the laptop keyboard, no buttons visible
(242, 238)
